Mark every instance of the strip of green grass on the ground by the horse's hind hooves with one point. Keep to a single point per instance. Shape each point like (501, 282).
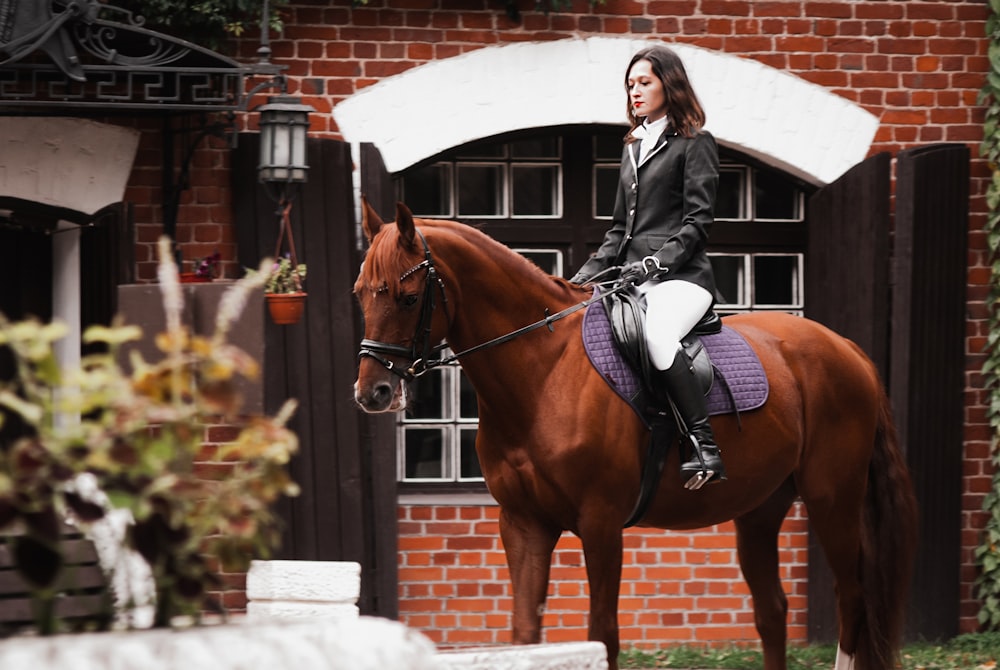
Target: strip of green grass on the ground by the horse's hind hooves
(978, 651)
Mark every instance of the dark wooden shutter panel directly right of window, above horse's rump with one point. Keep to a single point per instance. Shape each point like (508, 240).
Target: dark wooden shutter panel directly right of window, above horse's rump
(847, 289)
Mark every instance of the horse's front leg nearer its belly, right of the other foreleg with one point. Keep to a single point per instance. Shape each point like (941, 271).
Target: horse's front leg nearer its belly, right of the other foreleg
(602, 550)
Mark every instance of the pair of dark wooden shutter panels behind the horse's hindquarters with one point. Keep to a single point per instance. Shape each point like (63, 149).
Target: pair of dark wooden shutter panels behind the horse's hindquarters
(907, 311)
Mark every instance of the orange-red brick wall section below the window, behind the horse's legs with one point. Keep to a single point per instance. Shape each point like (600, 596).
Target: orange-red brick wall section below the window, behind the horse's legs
(676, 586)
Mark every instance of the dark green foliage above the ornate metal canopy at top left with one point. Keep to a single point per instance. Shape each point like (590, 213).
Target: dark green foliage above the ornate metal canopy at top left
(208, 23)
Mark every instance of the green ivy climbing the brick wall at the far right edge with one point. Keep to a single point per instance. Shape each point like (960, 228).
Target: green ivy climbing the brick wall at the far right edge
(987, 554)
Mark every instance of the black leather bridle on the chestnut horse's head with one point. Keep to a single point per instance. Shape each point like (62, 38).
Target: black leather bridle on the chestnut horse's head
(418, 355)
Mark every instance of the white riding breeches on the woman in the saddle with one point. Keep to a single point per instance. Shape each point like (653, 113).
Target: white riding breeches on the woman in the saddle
(673, 308)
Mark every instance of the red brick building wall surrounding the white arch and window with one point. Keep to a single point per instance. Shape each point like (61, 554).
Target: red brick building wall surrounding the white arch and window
(916, 65)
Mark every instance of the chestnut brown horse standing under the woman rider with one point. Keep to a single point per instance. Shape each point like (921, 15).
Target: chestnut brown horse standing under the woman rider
(561, 452)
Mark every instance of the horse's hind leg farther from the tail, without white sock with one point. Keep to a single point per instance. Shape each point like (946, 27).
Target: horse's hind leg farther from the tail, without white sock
(757, 544)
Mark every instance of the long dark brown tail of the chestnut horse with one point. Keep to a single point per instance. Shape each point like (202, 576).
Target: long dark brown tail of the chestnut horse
(889, 538)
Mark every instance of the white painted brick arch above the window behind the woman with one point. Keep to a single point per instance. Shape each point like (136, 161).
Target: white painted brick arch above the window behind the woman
(781, 119)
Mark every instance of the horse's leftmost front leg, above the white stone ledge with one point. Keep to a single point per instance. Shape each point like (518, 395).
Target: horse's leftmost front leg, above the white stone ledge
(529, 545)
